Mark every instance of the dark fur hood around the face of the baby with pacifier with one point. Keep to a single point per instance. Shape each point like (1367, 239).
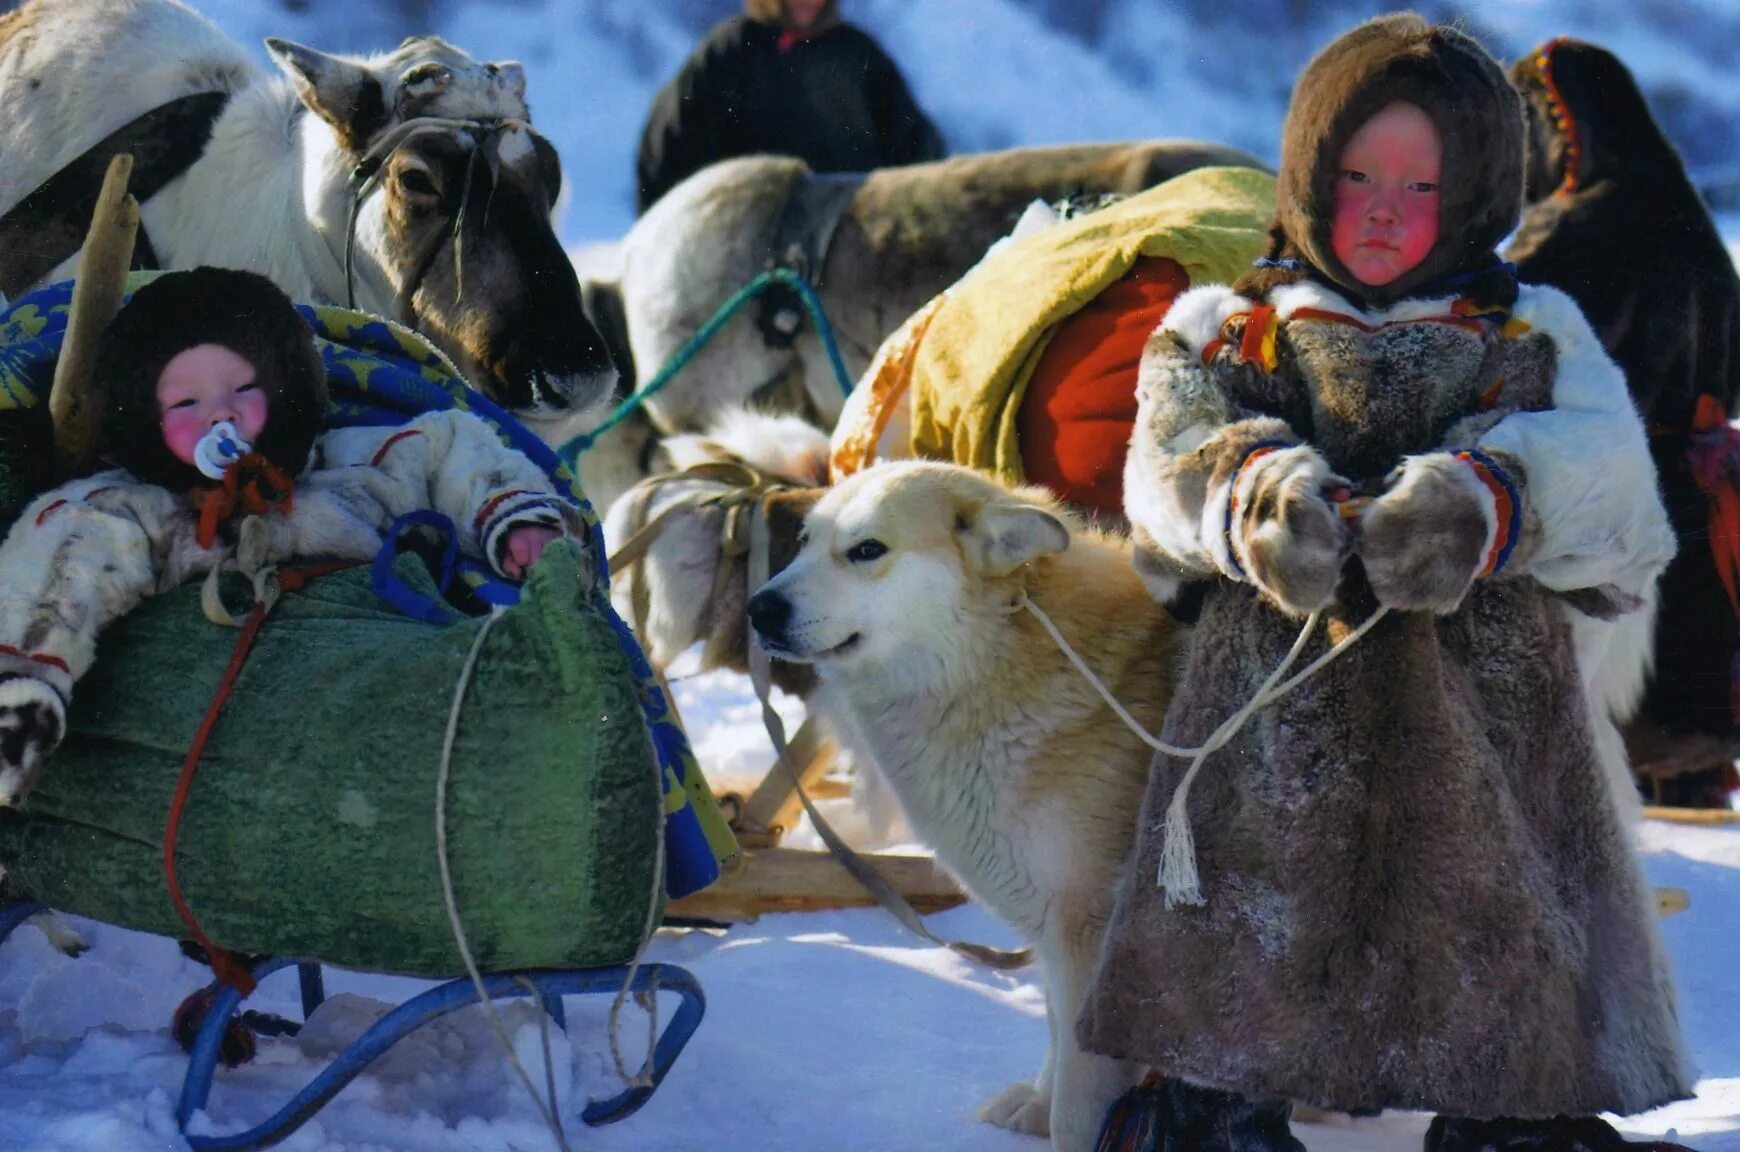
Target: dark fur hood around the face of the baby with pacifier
(239, 311)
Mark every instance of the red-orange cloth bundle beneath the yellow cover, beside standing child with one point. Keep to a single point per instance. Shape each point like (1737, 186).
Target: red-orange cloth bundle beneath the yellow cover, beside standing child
(1081, 403)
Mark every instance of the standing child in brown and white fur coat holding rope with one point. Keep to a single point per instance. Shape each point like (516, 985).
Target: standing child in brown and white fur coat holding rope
(1415, 888)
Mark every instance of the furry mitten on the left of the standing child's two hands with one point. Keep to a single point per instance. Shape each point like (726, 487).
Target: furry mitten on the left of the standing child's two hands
(1290, 539)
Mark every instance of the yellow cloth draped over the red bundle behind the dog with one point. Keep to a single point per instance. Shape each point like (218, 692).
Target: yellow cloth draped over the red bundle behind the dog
(989, 332)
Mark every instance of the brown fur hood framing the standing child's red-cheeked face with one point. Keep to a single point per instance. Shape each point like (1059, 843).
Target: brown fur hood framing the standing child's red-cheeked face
(1480, 123)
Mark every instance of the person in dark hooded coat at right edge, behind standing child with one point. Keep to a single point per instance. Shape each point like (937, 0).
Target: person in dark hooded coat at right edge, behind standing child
(1614, 220)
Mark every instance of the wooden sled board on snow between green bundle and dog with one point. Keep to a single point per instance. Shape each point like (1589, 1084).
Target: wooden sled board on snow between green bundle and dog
(786, 880)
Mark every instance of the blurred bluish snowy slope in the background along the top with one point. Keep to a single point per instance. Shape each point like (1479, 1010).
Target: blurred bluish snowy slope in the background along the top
(1154, 69)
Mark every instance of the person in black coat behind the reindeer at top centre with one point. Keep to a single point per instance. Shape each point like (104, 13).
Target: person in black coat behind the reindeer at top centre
(787, 77)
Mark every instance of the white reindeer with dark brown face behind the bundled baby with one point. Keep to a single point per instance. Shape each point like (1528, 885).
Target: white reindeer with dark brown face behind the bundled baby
(415, 191)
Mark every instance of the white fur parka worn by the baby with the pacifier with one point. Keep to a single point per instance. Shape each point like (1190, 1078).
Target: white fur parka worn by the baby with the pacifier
(88, 553)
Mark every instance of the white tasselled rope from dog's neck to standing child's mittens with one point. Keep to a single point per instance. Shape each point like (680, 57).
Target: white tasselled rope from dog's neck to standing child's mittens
(1179, 873)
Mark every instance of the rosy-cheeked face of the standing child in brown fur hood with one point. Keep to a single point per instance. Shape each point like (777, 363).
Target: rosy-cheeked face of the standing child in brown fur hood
(1386, 196)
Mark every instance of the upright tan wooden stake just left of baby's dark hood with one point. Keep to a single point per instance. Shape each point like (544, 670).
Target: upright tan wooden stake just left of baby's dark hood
(97, 300)
